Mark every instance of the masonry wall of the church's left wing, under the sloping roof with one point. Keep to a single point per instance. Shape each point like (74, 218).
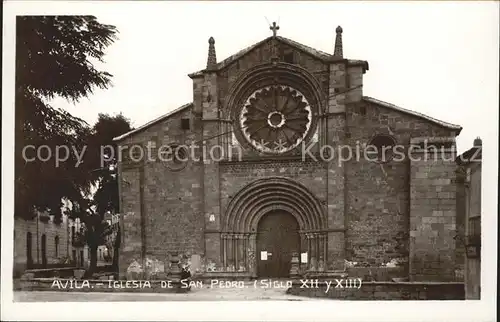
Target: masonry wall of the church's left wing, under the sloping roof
(166, 195)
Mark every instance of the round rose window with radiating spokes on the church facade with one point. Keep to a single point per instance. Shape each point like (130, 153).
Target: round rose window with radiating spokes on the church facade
(275, 119)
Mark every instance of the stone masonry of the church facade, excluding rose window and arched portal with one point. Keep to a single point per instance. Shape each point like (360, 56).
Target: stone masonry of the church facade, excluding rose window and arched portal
(168, 211)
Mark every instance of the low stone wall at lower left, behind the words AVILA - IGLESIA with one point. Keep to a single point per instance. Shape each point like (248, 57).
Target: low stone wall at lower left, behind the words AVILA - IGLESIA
(82, 285)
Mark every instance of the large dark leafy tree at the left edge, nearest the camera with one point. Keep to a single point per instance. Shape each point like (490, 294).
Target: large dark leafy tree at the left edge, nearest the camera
(54, 57)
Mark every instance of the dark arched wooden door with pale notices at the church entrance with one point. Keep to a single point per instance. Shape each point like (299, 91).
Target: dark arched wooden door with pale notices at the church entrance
(278, 238)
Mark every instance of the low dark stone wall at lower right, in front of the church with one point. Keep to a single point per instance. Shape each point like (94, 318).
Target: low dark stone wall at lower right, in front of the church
(384, 291)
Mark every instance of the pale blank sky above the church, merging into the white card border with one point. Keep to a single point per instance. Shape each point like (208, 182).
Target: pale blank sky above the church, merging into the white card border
(440, 59)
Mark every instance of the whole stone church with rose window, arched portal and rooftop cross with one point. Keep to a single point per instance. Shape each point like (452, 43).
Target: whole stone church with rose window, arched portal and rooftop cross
(289, 204)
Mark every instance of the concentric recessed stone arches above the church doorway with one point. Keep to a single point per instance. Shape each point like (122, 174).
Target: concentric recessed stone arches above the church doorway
(265, 195)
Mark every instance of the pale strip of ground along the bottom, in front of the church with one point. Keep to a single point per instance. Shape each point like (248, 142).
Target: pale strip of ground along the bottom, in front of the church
(248, 293)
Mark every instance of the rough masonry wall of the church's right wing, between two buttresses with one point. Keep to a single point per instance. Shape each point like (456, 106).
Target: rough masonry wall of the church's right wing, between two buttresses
(378, 197)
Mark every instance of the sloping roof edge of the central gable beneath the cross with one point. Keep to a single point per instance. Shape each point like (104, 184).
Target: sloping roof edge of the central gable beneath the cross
(321, 55)
